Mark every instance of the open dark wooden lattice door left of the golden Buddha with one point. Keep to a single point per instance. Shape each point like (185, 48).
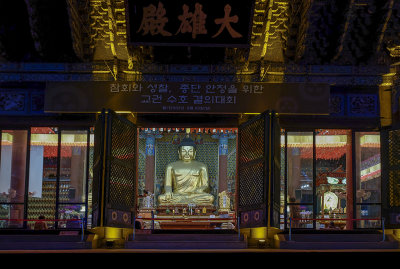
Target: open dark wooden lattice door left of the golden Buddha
(114, 186)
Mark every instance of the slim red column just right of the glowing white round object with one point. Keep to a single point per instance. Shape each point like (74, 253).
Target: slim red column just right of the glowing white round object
(349, 184)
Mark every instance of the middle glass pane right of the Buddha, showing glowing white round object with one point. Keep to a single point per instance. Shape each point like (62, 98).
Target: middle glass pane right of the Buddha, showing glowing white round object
(333, 160)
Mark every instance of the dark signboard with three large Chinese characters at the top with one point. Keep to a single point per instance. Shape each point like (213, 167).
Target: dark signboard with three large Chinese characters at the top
(189, 22)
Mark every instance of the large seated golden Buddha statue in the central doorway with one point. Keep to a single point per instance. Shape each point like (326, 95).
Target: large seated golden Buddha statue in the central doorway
(186, 180)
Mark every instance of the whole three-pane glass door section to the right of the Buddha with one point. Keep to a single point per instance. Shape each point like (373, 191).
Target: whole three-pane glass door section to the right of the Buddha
(332, 179)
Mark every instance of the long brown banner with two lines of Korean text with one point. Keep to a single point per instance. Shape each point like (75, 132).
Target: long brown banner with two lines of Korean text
(187, 97)
